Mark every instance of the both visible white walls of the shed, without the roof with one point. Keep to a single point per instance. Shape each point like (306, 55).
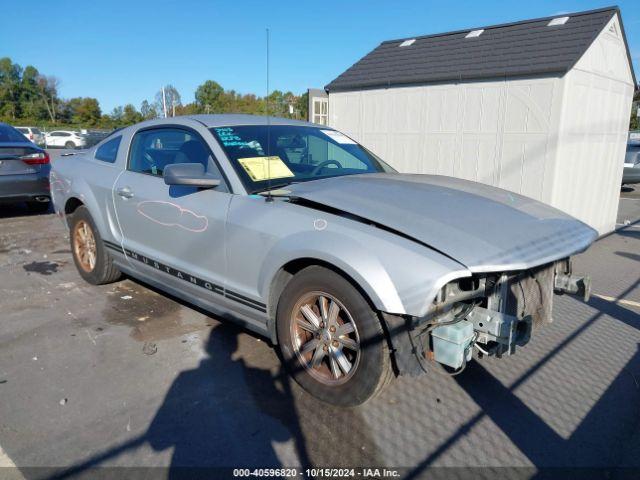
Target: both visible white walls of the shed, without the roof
(556, 139)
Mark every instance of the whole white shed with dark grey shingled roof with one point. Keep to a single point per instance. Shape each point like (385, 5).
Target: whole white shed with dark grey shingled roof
(539, 107)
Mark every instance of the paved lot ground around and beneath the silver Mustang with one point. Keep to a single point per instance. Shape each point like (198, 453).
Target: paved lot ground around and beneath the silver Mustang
(122, 375)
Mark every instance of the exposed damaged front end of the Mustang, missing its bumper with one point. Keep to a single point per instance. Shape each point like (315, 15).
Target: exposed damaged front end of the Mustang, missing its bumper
(493, 313)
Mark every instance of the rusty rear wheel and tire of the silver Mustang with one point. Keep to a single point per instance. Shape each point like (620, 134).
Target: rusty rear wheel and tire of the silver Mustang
(92, 259)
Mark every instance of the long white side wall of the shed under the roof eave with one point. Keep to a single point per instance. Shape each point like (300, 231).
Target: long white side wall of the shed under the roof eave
(496, 132)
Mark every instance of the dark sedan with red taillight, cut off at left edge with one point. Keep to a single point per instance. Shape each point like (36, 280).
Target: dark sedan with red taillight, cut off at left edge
(24, 170)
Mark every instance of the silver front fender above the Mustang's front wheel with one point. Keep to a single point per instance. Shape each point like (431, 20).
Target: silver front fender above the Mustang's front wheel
(400, 276)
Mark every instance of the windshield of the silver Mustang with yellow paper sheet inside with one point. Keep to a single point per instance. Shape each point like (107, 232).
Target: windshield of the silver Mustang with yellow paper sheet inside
(275, 156)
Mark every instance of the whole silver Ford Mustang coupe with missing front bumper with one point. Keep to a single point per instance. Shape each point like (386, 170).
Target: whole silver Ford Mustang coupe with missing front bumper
(297, 232)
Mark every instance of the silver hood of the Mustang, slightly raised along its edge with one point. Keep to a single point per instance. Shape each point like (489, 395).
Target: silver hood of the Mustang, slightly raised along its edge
(484, 228)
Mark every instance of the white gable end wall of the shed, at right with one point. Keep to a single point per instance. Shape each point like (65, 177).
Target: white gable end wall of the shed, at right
(593, 132)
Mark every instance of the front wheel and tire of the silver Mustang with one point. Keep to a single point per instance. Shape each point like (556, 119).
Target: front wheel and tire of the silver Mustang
(331, 340)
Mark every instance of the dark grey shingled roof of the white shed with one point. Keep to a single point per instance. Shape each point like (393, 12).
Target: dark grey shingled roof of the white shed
(521, 48)
